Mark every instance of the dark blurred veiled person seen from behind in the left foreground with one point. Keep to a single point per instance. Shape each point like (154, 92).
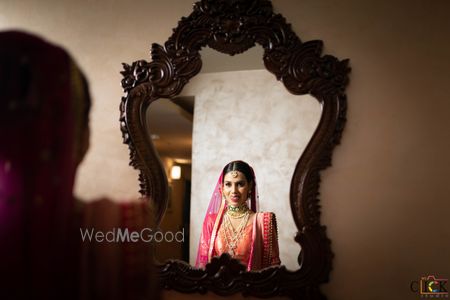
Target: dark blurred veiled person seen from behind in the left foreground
(43, 112)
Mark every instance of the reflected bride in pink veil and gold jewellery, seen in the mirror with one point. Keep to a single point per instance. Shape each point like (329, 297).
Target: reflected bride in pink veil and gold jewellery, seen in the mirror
(230, 226)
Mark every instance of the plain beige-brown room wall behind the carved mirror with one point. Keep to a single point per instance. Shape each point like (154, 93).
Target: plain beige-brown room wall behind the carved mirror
(385, 201)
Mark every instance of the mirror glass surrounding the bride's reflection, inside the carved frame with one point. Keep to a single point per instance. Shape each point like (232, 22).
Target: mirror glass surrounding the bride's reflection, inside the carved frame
(233, 110)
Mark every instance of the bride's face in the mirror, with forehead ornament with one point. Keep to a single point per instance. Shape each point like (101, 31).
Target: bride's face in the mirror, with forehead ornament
(235, 188)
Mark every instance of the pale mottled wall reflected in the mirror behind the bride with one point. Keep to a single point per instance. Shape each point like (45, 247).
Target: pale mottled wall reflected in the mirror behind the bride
(250, 116)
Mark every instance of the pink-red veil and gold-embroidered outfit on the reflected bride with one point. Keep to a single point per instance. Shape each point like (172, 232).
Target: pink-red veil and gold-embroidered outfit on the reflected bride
(258, 246)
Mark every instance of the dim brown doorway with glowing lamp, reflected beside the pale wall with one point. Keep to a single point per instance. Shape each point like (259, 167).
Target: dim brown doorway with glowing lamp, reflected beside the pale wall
(170, 128)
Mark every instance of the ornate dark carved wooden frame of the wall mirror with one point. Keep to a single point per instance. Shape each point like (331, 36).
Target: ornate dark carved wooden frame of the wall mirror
(232, 27)
